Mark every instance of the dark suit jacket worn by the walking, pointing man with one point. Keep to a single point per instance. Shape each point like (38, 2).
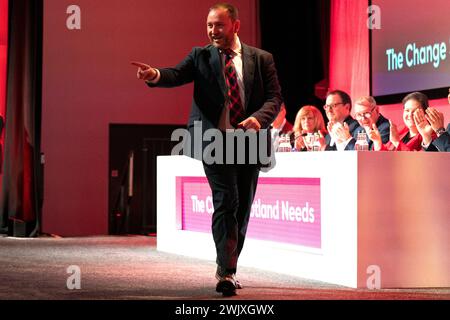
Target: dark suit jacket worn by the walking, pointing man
(203, 66)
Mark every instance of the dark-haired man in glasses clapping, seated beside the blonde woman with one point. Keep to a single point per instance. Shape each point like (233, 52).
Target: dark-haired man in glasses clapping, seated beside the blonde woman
(341, 125)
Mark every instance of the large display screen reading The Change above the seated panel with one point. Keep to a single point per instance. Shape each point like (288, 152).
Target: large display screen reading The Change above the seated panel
(410, 47)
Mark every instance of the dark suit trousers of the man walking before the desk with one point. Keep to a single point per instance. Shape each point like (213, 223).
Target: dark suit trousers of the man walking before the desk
(233, 188)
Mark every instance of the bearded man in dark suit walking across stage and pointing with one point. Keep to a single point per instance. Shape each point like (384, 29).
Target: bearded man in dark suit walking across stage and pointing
(235, 86)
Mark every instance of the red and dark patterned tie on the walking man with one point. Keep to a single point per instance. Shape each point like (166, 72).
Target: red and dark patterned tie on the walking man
(235, 103)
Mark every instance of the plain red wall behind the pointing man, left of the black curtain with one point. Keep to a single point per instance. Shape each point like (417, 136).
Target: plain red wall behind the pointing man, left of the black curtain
(88, 83)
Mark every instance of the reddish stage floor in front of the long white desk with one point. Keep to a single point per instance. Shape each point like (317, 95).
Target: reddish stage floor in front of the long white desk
(130, 268)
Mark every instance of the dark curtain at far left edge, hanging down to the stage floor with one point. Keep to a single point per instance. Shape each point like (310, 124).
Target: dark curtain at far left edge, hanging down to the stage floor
(19, 206)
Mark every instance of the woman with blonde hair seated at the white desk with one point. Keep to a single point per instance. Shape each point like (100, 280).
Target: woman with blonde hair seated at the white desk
(308, 121)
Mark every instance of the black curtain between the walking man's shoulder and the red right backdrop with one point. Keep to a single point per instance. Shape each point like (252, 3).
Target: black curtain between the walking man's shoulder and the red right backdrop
(298, 37)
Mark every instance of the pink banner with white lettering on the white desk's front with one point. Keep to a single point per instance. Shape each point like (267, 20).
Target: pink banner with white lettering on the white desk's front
(284, 210)
